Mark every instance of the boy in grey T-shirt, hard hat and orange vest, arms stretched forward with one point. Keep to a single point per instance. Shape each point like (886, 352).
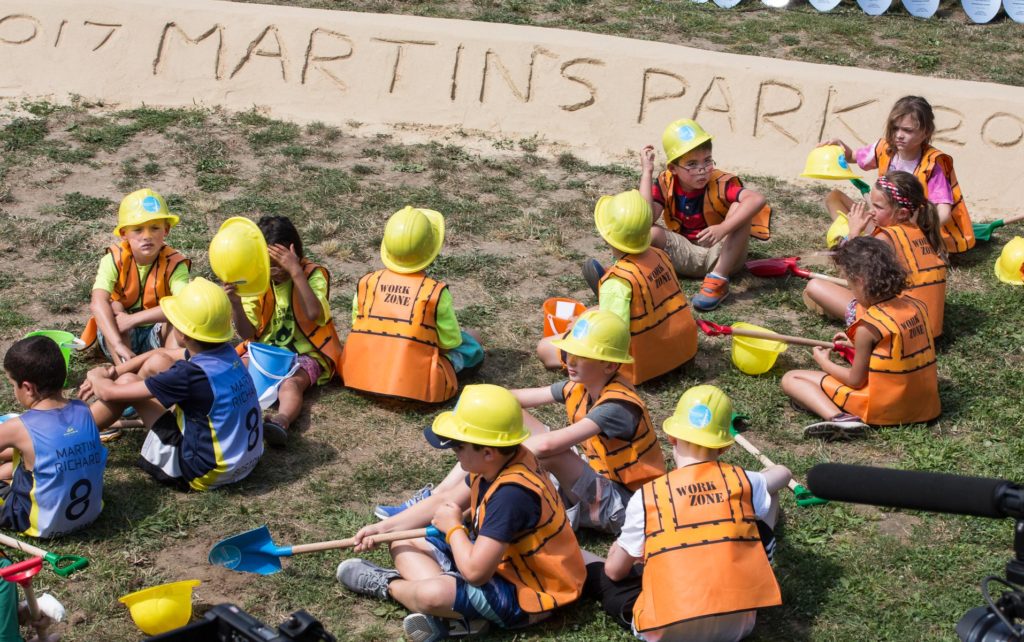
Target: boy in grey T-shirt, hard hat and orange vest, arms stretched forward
(610, 449)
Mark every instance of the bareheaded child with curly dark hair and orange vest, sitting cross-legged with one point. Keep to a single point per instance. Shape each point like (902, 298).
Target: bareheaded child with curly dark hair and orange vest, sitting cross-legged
(893, 379)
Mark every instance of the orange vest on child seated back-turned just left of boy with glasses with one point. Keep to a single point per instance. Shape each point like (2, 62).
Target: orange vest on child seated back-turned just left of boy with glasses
(663, 334)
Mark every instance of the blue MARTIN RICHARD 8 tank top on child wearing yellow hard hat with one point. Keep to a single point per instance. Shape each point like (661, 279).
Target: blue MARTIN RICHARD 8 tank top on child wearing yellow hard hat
(229, 447)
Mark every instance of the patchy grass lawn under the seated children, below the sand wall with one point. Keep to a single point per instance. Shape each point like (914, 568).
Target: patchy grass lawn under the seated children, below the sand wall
(519, 227)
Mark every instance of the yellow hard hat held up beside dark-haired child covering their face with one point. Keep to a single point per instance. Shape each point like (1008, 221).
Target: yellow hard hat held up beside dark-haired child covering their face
(239, 255)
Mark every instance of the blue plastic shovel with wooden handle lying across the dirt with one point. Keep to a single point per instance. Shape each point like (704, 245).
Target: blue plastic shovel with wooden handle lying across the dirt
(255, 552)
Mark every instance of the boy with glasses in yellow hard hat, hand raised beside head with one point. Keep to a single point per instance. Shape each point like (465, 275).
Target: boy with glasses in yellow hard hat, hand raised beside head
(707, 215)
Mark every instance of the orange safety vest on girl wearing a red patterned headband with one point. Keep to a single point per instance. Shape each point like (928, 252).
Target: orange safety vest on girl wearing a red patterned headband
(927, 271)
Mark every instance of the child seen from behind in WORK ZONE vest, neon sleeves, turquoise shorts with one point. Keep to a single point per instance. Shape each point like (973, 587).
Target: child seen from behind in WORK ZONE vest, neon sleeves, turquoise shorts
(406, 341)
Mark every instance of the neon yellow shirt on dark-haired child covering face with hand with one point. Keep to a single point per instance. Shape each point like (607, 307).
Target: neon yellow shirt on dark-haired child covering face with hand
(281, 331)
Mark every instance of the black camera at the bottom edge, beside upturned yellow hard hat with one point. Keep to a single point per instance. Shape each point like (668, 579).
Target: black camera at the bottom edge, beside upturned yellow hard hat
(228, 623)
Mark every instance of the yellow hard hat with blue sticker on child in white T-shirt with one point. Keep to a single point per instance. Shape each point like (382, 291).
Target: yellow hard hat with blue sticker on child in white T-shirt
(703, 417)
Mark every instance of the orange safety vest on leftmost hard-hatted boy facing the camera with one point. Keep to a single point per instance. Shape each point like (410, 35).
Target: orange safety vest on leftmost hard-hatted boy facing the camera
(127, 290)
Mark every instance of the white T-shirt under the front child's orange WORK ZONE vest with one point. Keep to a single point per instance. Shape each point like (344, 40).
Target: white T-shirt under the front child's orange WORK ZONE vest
(731, 628)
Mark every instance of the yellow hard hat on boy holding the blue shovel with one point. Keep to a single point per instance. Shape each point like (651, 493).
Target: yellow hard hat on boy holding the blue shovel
(485, 415)
